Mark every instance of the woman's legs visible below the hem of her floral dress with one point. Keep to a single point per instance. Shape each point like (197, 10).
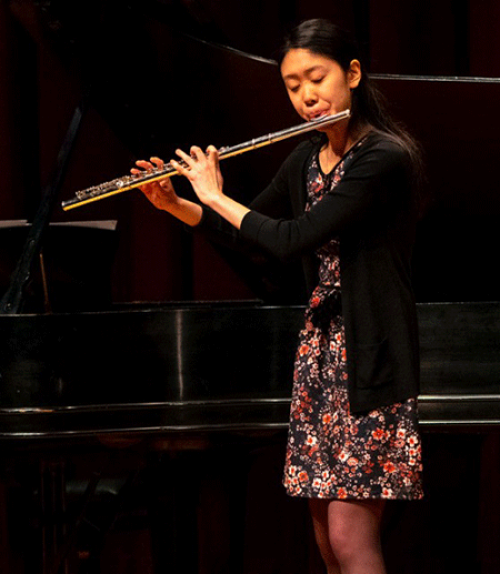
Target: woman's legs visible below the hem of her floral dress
(353, 535)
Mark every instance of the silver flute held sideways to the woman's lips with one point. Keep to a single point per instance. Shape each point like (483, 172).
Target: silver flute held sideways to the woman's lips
(121, 184)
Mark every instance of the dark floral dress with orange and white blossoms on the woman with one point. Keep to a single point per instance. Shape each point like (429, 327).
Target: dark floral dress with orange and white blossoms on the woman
(331, 452)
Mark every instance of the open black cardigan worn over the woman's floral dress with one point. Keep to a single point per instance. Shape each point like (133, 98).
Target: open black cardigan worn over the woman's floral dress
(370, 211)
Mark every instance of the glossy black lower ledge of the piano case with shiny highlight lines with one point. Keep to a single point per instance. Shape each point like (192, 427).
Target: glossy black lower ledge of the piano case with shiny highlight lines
(436, 412)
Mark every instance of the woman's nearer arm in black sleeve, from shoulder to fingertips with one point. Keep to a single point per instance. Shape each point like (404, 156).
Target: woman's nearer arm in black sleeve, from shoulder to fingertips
(376, 170)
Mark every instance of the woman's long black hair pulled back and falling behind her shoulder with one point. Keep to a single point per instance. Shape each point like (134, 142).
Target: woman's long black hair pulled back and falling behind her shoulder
(369, 108)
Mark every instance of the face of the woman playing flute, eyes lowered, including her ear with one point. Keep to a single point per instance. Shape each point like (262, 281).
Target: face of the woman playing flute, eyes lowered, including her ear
(316, 85)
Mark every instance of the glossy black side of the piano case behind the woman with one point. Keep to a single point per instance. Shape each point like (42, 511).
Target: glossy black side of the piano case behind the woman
(202, 367)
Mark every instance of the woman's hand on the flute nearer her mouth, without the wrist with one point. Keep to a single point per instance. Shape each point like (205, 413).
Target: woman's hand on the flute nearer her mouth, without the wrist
(203, 172)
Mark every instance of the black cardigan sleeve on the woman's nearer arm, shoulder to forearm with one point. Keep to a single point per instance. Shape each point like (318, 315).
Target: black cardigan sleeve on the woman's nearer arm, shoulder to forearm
(365, 186)
